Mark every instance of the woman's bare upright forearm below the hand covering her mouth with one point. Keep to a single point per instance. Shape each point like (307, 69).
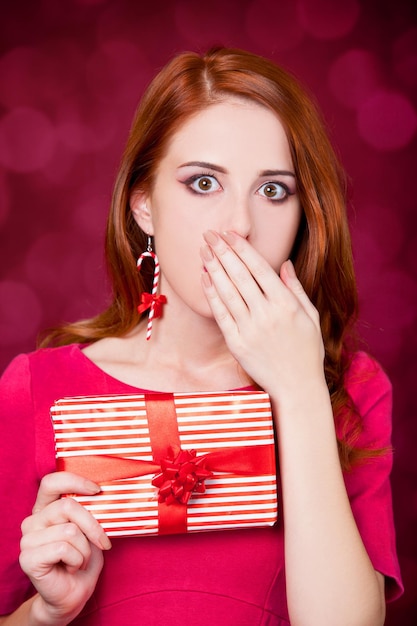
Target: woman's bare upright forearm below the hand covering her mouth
(330, 579)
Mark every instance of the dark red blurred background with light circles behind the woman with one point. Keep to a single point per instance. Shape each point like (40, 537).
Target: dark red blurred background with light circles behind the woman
(71, 74)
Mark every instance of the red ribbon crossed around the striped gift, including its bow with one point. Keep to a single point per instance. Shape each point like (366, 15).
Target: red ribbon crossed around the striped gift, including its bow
(177, 473)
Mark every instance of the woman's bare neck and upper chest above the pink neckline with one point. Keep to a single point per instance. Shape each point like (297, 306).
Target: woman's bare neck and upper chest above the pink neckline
(186, 352)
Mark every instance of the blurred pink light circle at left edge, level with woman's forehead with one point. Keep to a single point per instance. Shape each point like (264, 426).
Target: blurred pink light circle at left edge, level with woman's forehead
(27, 140)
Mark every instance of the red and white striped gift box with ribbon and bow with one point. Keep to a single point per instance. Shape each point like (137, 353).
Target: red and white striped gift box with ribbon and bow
(170, 463)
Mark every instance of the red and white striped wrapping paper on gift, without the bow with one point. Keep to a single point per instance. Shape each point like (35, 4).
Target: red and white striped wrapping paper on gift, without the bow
(119, 426)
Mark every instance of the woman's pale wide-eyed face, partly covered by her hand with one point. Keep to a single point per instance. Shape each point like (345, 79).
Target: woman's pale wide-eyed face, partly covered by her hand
(227, 168)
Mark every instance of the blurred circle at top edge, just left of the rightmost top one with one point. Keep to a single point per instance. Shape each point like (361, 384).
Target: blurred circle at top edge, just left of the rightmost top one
(262, 17)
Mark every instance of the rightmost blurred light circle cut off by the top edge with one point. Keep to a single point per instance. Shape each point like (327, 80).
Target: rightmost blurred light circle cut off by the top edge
(327, 19)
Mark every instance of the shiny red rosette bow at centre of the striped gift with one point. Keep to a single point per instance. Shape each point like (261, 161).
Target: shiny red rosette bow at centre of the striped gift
(180, 476)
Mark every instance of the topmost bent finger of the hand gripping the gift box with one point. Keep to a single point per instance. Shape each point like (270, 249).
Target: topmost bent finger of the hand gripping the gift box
(54, 485)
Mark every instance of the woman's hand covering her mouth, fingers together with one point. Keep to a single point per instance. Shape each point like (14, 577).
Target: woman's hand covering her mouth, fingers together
(268, 321)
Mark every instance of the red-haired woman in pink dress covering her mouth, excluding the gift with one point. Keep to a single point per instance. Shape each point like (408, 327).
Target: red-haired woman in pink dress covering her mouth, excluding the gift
(230, 176)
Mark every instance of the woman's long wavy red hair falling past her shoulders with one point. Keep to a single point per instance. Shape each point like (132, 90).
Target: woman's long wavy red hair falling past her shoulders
(322, 253)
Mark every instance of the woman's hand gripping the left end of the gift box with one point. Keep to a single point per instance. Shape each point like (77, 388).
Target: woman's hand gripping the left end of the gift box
(61, 548)
